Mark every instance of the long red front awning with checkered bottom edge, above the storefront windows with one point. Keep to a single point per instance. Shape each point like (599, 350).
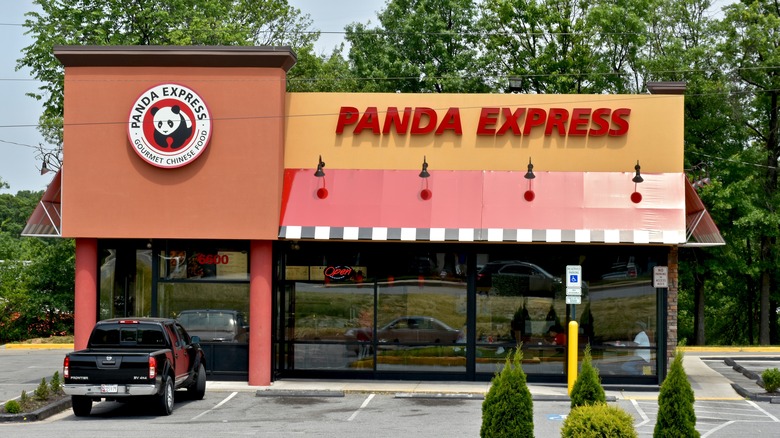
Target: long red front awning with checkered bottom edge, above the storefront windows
(577, 207)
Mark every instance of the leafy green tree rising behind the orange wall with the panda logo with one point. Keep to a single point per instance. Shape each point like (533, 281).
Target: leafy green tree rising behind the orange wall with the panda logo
(148, 22)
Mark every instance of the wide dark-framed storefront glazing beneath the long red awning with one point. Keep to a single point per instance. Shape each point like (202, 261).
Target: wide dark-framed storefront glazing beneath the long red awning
(390, 308)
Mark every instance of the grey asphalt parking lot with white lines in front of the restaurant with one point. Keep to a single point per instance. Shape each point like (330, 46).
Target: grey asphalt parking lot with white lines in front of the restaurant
(236, 409)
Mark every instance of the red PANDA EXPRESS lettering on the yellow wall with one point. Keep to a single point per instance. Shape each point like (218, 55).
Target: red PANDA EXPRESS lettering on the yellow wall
(492, 121)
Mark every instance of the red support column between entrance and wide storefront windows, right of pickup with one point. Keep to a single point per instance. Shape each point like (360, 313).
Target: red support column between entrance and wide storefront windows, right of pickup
(260, 316)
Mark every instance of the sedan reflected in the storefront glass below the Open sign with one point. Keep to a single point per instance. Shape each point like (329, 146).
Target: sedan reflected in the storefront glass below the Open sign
(409, 329)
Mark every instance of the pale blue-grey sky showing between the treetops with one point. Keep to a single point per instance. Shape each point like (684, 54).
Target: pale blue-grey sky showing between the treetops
(19, 165)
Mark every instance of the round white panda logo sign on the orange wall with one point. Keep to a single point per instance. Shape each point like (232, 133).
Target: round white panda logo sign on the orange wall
(170, 126)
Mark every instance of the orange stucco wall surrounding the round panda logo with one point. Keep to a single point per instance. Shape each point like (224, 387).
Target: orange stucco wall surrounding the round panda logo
(232, 191)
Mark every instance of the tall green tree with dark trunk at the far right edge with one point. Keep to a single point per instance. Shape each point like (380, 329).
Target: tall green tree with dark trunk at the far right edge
(751, 53)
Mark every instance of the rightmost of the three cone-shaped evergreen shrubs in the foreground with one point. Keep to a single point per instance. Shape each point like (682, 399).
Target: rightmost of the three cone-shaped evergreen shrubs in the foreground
(676, 417)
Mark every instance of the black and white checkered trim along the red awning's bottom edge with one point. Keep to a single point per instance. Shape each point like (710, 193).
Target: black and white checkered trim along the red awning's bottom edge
(671, 237)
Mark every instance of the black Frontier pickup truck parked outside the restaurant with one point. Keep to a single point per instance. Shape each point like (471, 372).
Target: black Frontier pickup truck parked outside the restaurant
(128, 358)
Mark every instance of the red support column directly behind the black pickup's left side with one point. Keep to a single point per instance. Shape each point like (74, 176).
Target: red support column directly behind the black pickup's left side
(86, 293)
